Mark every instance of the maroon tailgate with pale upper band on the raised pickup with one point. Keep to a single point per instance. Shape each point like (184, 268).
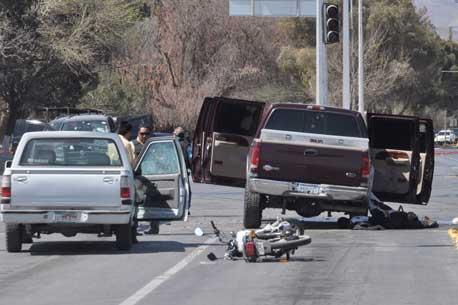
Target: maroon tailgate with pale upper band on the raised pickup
(311, 158)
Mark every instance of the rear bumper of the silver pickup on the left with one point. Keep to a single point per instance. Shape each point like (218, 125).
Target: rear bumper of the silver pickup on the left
(65, 217)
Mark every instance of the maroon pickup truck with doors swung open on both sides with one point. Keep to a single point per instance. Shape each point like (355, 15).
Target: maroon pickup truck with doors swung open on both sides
(310, 158)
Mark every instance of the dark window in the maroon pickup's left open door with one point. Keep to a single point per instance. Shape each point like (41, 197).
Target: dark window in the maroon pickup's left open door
(234, 118)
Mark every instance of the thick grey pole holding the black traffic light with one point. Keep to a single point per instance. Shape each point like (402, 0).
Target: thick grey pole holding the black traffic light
(321, 59)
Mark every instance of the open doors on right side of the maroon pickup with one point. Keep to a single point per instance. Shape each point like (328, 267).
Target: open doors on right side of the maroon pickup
(402, 155)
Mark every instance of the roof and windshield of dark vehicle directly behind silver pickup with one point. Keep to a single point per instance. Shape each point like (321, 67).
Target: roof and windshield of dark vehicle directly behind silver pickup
(84, 122)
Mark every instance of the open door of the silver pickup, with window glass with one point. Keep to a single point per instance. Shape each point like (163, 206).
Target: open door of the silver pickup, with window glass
(162, 182)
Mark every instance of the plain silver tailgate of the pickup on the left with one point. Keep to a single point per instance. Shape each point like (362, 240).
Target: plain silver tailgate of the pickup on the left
(65, 188)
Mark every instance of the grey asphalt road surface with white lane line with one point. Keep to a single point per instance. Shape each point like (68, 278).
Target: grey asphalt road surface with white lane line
(340, 266)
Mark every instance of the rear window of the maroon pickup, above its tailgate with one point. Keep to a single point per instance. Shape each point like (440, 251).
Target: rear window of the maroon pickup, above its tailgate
(319, 122)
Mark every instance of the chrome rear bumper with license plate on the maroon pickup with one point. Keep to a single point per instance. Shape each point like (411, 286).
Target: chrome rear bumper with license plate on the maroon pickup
(292, 189)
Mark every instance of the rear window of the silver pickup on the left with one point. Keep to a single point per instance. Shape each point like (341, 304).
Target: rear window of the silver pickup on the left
(71, 152)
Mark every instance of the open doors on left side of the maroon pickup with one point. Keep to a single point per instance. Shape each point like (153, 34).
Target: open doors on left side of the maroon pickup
(225, 129)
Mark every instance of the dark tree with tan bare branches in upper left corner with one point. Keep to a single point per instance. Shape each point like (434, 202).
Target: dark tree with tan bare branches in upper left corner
(49, 49)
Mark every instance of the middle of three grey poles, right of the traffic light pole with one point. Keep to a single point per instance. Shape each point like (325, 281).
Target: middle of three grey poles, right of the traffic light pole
(346, 91)
